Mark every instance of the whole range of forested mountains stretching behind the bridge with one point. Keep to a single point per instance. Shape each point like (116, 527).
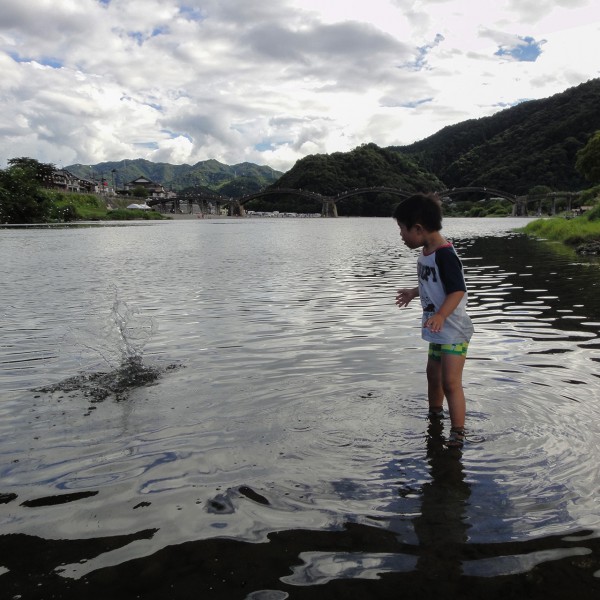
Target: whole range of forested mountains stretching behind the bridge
(531, 144)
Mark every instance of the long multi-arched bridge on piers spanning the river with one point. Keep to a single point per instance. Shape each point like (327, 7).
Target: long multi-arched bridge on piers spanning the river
(235, 205)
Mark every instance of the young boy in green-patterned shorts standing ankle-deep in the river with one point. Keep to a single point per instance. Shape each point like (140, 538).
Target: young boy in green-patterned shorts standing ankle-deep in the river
(443, 293)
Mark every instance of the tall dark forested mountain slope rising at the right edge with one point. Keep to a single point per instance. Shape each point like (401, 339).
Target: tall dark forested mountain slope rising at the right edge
(533, 143)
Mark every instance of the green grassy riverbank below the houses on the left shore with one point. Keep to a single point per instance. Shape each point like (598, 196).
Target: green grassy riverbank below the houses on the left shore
(88, 207)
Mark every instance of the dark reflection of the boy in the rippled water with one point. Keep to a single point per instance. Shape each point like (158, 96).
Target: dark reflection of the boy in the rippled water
(441, 526)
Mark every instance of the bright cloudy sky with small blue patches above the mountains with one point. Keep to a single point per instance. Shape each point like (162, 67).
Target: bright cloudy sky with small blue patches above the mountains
(272, 81)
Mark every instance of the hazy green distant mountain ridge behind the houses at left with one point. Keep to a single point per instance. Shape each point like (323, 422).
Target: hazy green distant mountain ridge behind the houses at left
(208, 174)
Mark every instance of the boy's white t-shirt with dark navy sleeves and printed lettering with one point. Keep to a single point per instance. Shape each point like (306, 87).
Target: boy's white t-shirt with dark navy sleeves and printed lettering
(440, 273)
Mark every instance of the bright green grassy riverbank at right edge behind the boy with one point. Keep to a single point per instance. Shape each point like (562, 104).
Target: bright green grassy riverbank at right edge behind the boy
(574, 232)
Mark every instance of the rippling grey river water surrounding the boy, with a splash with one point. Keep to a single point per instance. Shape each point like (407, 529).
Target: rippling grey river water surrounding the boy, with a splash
(236, 408)
